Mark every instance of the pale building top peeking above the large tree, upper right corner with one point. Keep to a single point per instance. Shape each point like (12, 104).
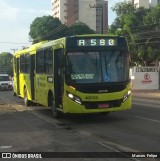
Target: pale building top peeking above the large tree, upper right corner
(145, 3)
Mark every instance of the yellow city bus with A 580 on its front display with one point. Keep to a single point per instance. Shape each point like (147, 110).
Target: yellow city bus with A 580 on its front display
(76, 74)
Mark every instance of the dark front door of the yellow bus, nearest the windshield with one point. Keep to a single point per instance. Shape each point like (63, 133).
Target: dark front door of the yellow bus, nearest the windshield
(58, 76)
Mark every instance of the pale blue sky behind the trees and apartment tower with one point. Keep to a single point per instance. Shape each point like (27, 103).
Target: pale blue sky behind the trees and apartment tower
(16, 17)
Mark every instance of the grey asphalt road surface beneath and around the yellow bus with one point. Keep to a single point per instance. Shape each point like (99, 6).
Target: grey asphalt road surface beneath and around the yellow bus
(33, 129)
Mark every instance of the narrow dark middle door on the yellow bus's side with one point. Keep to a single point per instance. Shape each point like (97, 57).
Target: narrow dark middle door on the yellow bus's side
(32, 75)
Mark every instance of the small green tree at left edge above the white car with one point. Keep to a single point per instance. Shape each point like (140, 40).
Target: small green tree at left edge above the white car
(6, 63)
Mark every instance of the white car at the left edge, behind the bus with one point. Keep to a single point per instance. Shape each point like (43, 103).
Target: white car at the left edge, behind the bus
(5, 82)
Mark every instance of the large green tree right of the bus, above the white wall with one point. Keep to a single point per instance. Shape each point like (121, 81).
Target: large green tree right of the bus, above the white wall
(141, 27)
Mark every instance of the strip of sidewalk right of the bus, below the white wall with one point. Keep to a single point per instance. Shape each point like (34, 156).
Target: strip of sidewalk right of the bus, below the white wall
(146, 94)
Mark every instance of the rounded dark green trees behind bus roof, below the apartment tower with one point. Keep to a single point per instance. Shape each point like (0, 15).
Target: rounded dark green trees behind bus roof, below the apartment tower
(49, 28)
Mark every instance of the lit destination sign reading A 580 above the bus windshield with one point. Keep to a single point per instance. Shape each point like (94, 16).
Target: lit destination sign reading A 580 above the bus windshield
(97, 42)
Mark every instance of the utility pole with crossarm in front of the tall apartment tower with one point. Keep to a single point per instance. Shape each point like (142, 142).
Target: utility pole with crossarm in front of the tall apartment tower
(99, 4)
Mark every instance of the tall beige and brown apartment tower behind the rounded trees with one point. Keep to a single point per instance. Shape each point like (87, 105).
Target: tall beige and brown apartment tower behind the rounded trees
(93, 13)
